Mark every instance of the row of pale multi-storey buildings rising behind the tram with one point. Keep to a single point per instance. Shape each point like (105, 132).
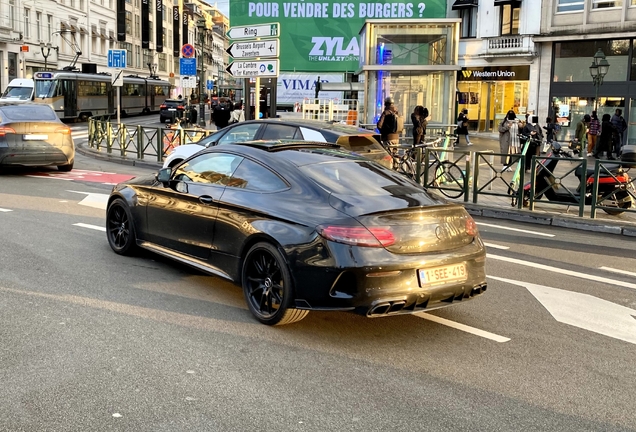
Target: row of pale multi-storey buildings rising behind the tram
(54, 34)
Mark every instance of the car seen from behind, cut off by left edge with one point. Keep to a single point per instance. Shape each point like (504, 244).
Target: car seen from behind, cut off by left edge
(32, 135)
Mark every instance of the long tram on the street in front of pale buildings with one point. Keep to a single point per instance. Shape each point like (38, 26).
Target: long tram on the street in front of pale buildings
(78, 95)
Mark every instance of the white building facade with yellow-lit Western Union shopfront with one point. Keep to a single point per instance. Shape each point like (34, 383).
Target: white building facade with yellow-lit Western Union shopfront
(500, 61)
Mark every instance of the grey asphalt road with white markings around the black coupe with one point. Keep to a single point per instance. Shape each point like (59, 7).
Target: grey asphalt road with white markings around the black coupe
(91, 340)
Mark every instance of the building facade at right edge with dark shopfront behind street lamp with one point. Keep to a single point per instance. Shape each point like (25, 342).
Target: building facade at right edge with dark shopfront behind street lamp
(572, 33)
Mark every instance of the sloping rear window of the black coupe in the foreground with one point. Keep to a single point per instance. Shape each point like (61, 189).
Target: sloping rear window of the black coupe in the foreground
(359, 178)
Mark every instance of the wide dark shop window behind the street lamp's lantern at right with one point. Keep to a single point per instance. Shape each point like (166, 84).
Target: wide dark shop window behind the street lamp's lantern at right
(572, 60)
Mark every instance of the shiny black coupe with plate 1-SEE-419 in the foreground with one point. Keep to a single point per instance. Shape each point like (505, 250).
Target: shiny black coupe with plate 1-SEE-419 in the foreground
(304, 226)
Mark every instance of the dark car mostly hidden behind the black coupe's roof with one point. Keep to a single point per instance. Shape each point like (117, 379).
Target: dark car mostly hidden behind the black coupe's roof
(361, 141)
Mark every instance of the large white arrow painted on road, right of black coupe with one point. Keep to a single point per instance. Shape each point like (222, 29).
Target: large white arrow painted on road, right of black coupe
(584, 311)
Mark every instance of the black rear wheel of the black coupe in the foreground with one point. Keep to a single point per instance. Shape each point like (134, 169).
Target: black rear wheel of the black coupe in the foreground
(267, 286)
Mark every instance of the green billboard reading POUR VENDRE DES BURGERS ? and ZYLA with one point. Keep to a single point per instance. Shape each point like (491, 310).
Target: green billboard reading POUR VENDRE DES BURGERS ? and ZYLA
(317, 37)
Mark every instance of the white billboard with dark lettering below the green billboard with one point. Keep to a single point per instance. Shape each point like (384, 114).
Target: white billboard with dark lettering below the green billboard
(294, 87)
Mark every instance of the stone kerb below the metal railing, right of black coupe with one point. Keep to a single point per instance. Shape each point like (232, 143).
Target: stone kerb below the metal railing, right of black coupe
(573, 222)
